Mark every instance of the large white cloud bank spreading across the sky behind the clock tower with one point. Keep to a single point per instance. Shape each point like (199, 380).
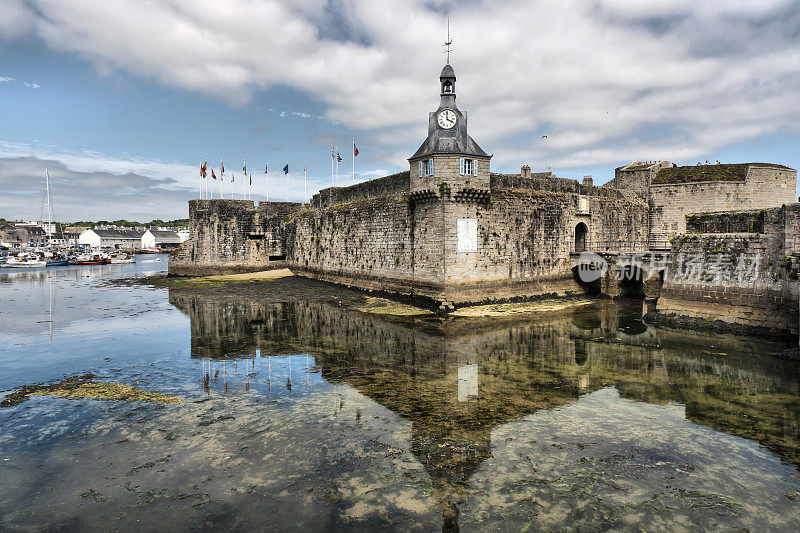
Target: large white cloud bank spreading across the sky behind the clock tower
(606, 81)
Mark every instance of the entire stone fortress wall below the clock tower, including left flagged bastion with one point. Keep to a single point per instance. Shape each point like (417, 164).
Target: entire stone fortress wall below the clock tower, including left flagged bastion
(384, 239)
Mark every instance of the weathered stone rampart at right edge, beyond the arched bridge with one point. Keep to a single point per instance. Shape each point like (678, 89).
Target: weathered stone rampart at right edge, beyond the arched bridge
(748, 279)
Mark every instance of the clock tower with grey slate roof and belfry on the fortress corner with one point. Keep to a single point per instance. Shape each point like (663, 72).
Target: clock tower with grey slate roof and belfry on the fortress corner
(449, 165)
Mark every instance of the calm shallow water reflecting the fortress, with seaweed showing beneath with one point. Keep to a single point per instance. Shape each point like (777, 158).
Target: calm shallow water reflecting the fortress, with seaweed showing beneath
(316, 417)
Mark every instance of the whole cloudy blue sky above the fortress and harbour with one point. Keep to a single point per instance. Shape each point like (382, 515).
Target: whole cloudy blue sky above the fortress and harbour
(123, 100)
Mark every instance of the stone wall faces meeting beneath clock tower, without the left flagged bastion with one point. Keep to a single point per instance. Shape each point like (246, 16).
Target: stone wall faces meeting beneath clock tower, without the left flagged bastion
(398, 244)
